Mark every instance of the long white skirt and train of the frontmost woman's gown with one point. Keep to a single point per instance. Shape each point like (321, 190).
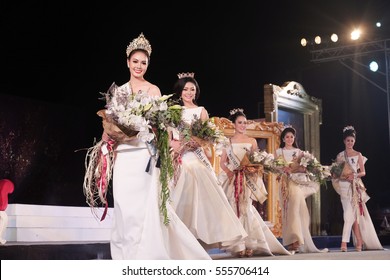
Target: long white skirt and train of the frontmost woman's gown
(138, 231)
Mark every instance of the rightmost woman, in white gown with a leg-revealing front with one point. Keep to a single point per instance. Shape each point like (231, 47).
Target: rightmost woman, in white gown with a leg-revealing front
(353, 197)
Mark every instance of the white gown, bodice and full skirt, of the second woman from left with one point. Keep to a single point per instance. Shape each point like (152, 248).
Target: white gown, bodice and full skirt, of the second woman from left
(201, 204)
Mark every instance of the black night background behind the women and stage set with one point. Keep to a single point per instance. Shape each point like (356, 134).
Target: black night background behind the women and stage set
(56, 56)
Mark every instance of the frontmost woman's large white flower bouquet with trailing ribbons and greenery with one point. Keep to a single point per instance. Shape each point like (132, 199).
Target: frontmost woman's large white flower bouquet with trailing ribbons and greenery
(127, 116)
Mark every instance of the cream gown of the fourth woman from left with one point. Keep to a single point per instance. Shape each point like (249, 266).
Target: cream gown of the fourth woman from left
(296, 218)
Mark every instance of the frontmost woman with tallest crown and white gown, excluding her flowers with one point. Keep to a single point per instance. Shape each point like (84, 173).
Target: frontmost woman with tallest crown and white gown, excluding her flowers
(138, 229)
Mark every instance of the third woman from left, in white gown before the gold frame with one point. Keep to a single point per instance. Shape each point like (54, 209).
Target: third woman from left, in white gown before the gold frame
(242, 186)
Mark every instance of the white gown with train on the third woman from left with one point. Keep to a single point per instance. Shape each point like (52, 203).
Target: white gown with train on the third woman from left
(260, 238)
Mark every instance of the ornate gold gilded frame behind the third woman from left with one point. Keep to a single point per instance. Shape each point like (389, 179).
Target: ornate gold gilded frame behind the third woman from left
(270, 131)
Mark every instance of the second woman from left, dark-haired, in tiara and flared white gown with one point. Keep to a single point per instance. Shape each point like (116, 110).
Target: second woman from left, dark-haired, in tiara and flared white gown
(197, 197)
